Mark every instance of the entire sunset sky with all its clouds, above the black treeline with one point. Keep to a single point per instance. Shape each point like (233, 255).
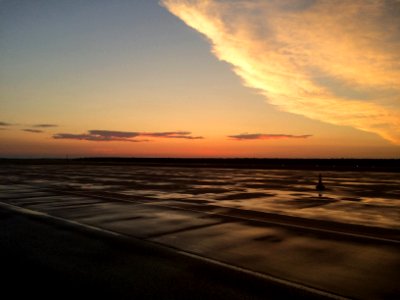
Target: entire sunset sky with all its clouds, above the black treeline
(200, 78)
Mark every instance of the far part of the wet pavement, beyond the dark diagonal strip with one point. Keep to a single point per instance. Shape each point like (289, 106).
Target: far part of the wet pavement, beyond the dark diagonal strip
(355, 197)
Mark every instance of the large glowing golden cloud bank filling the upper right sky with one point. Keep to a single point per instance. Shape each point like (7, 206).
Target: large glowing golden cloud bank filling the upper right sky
(310, 57)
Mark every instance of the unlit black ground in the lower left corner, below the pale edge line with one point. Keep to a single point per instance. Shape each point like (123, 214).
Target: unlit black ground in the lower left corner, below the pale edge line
(41, 258)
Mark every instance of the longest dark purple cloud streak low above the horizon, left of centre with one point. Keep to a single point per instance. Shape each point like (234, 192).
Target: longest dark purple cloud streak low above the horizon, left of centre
(124, 136)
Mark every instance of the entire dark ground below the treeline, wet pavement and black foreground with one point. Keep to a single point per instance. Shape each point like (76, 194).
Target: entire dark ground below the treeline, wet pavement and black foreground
(164, 232)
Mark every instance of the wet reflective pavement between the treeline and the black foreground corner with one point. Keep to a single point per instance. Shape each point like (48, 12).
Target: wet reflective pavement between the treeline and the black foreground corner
(344, 241)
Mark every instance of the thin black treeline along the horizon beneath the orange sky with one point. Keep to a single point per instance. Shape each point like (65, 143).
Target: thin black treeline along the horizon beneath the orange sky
(381, 165)
